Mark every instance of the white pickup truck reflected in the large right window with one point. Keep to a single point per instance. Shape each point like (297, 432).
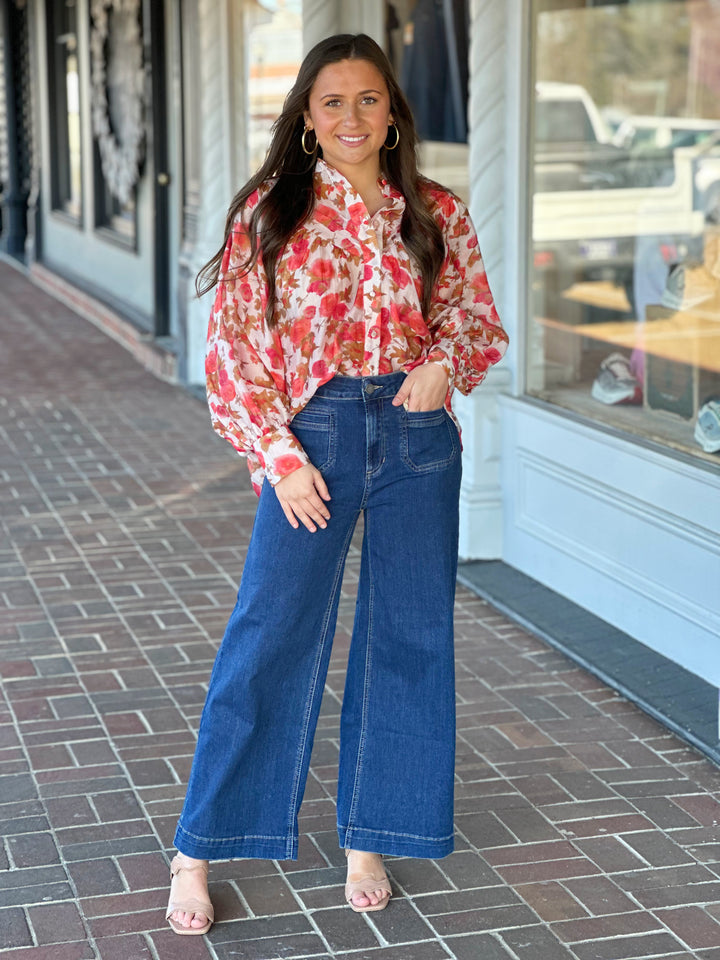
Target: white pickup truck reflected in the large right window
(594, 202)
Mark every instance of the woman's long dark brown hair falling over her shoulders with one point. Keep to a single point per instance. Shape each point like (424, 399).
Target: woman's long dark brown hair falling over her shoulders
(291, 199)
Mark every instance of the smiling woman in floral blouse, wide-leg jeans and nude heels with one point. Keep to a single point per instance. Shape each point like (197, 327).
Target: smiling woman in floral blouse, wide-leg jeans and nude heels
(351, 300)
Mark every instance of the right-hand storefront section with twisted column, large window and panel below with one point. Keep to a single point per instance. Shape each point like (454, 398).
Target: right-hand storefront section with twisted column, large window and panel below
(606, 247)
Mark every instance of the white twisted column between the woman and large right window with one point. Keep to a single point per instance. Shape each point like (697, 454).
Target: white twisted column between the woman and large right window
(497, 162)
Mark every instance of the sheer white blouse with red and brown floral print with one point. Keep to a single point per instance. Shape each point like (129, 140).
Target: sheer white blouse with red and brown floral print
(349, 303)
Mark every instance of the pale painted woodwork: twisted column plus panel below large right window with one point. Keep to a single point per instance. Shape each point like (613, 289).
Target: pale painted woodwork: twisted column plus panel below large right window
(629, 532)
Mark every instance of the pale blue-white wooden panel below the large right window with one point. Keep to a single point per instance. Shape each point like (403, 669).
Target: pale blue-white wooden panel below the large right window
(624, 531)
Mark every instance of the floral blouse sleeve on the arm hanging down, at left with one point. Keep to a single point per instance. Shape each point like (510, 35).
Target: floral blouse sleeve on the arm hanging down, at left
(245, 368)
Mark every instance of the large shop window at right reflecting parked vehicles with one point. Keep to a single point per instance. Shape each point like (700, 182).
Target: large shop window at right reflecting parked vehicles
(625, 301)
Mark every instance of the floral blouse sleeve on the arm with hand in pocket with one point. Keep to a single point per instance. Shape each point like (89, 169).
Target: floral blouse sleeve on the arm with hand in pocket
(467, 336)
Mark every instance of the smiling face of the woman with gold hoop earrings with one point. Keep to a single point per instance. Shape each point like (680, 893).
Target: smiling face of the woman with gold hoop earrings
(349, 110)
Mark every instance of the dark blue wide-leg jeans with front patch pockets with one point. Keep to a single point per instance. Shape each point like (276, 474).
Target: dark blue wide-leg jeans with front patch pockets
(397, 740)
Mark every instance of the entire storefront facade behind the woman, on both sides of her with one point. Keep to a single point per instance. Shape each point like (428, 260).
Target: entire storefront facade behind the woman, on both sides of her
(586, 138)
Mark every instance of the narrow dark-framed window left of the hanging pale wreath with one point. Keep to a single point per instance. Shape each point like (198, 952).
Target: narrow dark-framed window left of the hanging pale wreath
(64, 91)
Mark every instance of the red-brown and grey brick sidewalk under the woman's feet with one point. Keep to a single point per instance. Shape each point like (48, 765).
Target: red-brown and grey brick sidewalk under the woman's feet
(585, 830)
